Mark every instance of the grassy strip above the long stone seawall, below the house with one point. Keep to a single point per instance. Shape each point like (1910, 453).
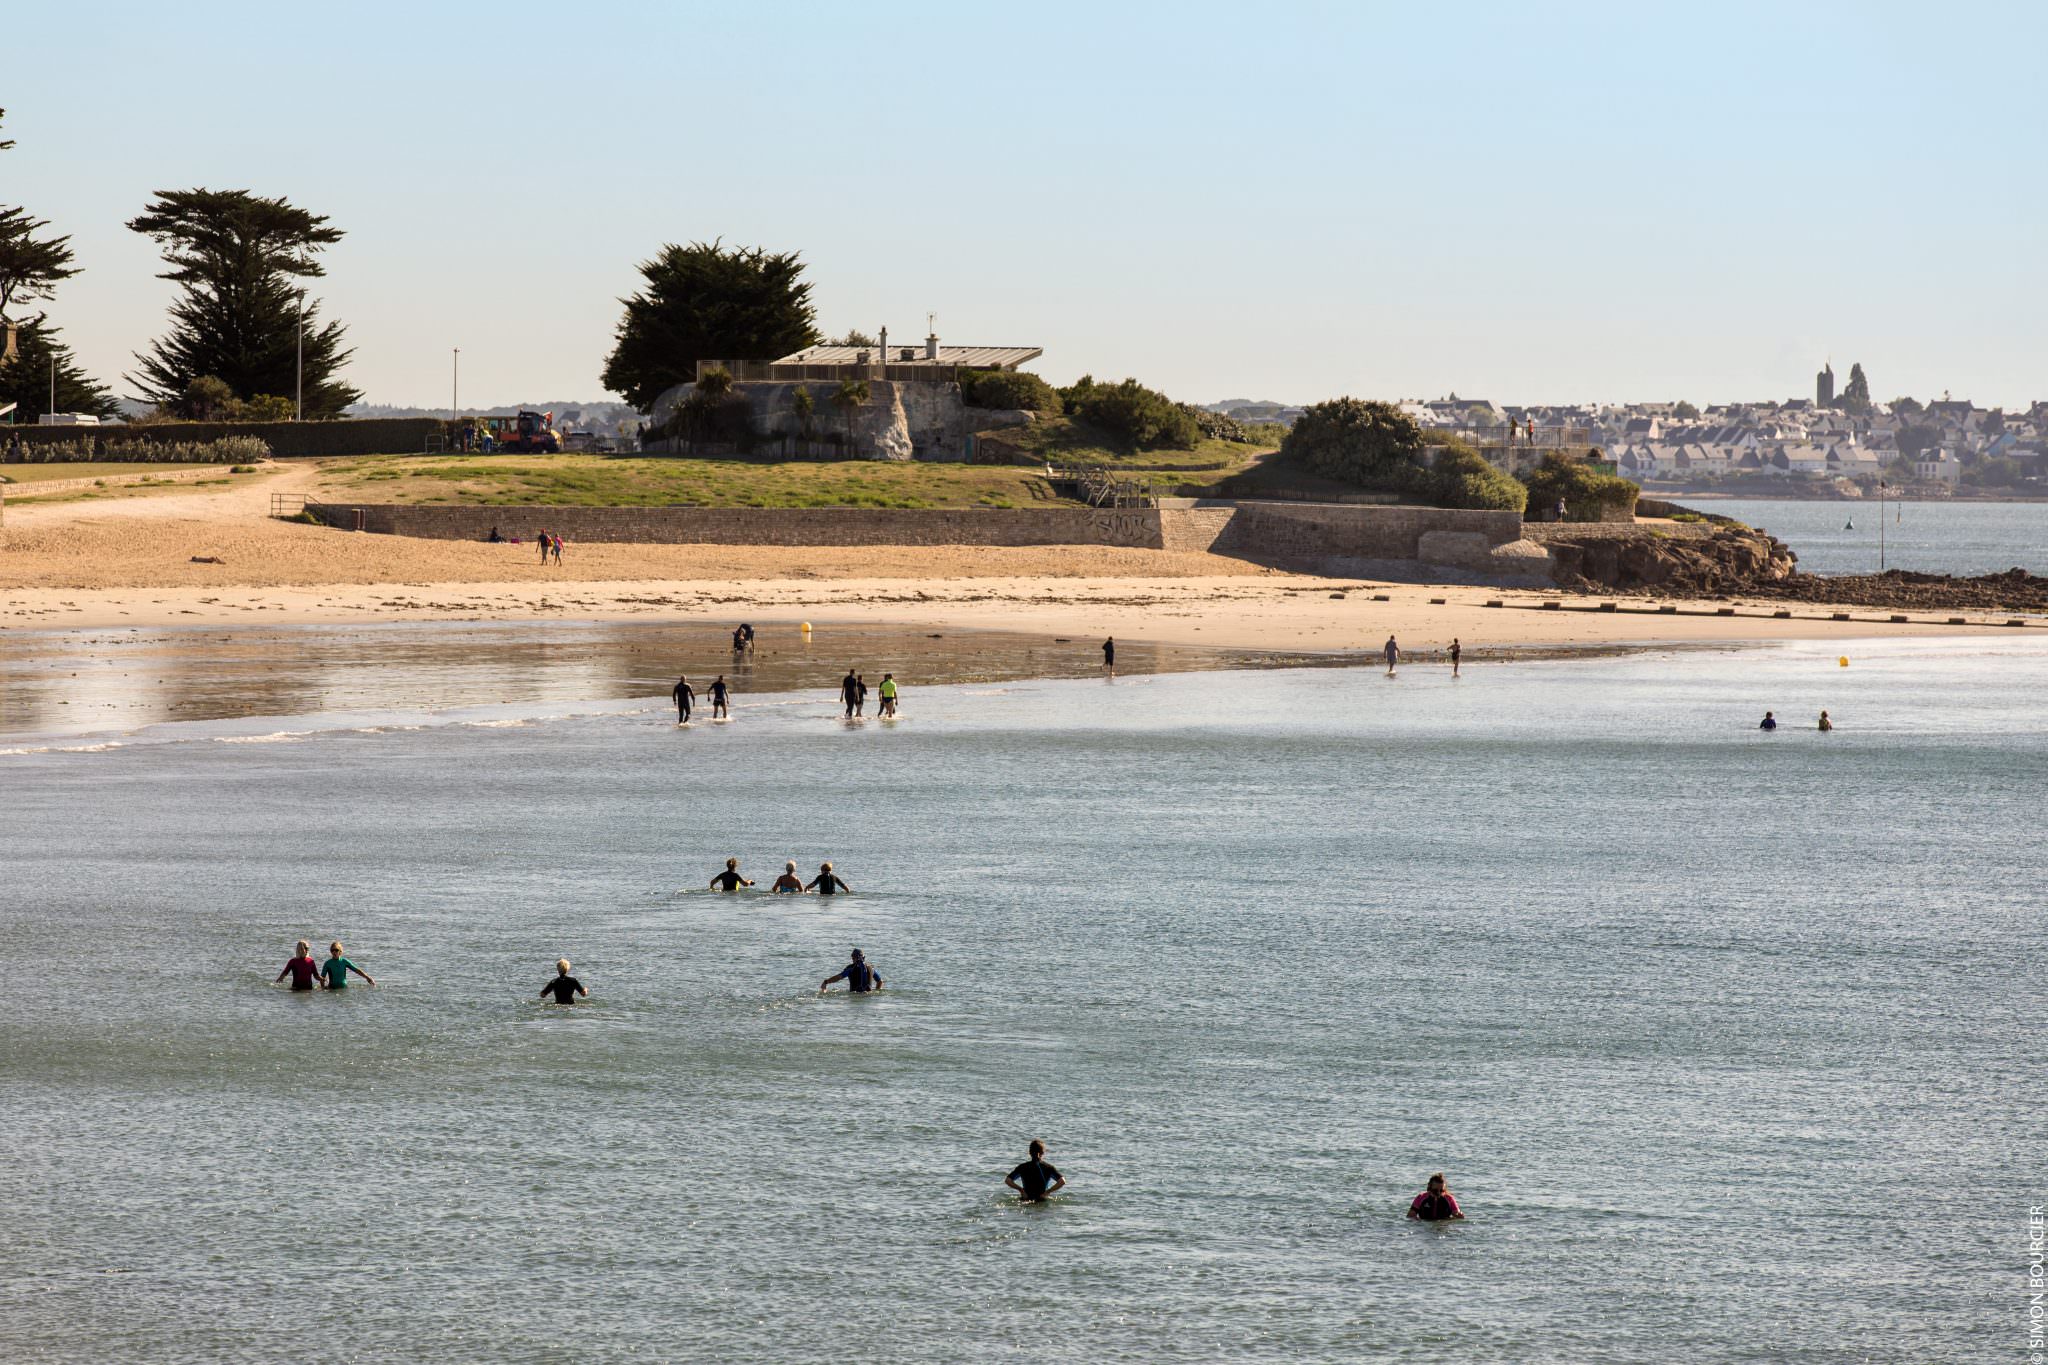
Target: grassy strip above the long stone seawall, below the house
(652, 482)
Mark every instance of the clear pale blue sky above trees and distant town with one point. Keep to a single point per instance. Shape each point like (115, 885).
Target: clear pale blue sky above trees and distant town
(1283, 202)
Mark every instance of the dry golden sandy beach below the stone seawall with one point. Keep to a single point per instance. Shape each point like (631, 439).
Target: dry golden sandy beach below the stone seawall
(212, 558)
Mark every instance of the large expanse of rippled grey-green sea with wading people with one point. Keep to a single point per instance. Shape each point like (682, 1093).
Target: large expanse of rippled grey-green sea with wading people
(1727, 1043)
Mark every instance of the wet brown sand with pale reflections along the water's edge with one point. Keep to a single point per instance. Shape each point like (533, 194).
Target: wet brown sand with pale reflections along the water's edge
(77, 682)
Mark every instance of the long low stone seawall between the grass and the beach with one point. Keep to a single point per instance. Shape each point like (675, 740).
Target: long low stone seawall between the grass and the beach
(1265, 531)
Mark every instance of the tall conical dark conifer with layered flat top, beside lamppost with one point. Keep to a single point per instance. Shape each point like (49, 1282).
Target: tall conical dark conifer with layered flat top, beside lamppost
(243, 261)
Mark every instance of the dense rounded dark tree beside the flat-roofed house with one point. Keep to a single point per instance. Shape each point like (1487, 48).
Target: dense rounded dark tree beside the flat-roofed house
(708, 302)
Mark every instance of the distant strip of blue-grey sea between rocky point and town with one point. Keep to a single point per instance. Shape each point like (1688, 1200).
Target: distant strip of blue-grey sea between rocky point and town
(1926, 537)
